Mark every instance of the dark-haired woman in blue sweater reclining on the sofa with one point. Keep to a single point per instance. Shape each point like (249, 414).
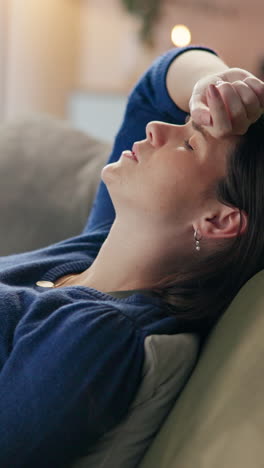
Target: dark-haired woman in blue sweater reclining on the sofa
(75, 315)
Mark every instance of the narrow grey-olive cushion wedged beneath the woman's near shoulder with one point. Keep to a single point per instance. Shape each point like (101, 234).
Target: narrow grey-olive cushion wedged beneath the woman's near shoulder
(169, 361)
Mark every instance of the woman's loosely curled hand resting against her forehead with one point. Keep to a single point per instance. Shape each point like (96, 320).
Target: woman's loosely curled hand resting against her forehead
(227, 103)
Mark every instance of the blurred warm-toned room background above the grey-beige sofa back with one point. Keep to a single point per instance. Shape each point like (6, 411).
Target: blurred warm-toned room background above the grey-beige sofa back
(78, 59)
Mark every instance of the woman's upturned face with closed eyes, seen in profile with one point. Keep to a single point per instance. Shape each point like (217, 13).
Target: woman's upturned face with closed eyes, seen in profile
(175, 165)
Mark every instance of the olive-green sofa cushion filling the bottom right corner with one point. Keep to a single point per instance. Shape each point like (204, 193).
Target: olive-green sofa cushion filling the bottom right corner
(218, 421)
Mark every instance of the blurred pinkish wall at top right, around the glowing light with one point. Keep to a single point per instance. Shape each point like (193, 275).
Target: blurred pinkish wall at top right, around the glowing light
(232, 27)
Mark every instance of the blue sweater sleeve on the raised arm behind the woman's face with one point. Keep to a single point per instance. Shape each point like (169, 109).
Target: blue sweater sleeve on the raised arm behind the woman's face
(148, 101)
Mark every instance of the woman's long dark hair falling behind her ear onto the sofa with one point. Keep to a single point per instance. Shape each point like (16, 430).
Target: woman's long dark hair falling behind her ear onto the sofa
(202, 294)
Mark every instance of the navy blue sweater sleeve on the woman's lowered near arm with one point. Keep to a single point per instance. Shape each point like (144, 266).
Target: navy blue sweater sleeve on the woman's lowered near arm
(69, 378)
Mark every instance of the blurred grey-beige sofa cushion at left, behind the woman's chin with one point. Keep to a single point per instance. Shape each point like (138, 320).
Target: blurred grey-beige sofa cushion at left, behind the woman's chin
(49, 173)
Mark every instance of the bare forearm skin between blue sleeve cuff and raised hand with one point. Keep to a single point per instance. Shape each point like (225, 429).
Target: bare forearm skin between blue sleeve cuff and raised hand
(186, 70)
